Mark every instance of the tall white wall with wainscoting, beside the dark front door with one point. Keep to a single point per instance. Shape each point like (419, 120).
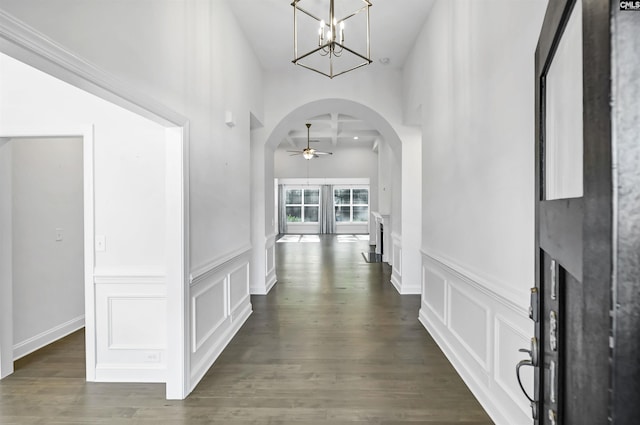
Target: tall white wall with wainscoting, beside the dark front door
(472, 73)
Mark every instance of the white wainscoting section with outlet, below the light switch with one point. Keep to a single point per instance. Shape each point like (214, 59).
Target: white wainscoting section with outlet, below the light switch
(130, 326)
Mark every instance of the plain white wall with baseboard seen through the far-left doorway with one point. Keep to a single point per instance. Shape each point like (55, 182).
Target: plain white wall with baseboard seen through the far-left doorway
(47, 241)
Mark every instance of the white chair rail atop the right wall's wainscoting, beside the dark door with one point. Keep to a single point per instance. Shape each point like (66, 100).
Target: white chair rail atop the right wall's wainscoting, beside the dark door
(501, 292)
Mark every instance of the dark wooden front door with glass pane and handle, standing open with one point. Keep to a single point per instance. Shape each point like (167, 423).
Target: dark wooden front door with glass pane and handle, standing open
(586, 301)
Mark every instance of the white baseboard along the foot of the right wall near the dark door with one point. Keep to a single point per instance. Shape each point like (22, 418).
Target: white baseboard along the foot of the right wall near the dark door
(487, 402)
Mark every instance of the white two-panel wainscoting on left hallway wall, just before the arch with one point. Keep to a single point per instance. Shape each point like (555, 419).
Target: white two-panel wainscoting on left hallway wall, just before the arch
(220, 304)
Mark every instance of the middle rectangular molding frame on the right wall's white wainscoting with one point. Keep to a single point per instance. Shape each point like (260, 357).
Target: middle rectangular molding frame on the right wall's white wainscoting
(481, 358)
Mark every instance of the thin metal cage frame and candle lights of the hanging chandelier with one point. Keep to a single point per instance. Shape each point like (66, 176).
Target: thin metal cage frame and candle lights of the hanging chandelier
(331, 46)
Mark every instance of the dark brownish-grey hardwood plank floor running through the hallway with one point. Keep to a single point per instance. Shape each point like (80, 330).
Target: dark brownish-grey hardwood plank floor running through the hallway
(333, 343)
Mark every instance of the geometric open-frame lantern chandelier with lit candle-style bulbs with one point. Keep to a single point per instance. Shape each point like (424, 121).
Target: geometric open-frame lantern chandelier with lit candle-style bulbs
(326, 48)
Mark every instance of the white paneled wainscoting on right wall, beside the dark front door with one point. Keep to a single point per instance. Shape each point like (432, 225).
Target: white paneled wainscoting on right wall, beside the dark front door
(480, 331)
